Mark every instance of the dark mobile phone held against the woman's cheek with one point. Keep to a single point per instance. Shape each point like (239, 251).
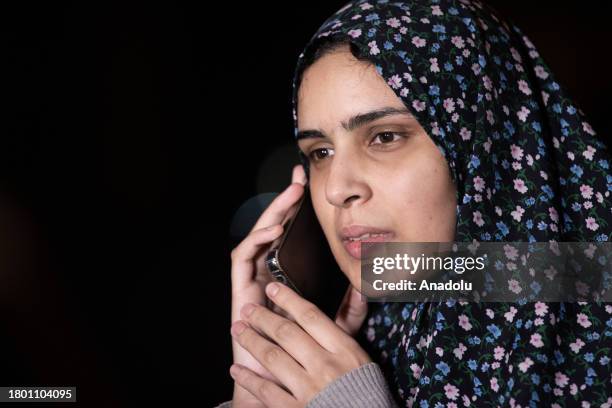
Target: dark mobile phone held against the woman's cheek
(302, 259)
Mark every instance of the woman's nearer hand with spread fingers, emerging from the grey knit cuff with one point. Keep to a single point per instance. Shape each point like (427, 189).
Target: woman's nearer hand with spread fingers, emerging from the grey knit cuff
(305, 354)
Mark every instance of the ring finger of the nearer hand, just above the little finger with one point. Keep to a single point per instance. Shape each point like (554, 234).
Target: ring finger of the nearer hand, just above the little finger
(271, 356)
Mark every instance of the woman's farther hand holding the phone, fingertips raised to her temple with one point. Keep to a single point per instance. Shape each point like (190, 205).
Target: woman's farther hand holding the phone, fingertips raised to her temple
(249, 274)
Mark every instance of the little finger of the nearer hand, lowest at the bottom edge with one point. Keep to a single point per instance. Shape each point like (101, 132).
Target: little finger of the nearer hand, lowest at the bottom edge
(269, 393)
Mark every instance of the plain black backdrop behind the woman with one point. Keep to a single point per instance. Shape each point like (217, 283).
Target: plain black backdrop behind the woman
(132, 132)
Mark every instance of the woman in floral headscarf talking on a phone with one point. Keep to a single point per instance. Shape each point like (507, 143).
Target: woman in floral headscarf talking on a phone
(466, 136)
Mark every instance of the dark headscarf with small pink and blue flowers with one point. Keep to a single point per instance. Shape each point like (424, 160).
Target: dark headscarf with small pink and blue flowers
(528, 167)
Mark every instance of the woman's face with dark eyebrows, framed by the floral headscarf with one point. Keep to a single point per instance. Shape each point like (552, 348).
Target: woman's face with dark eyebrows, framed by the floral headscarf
(378, 170)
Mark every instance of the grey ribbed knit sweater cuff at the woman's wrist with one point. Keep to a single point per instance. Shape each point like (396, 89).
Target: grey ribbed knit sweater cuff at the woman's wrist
(362, 387)
